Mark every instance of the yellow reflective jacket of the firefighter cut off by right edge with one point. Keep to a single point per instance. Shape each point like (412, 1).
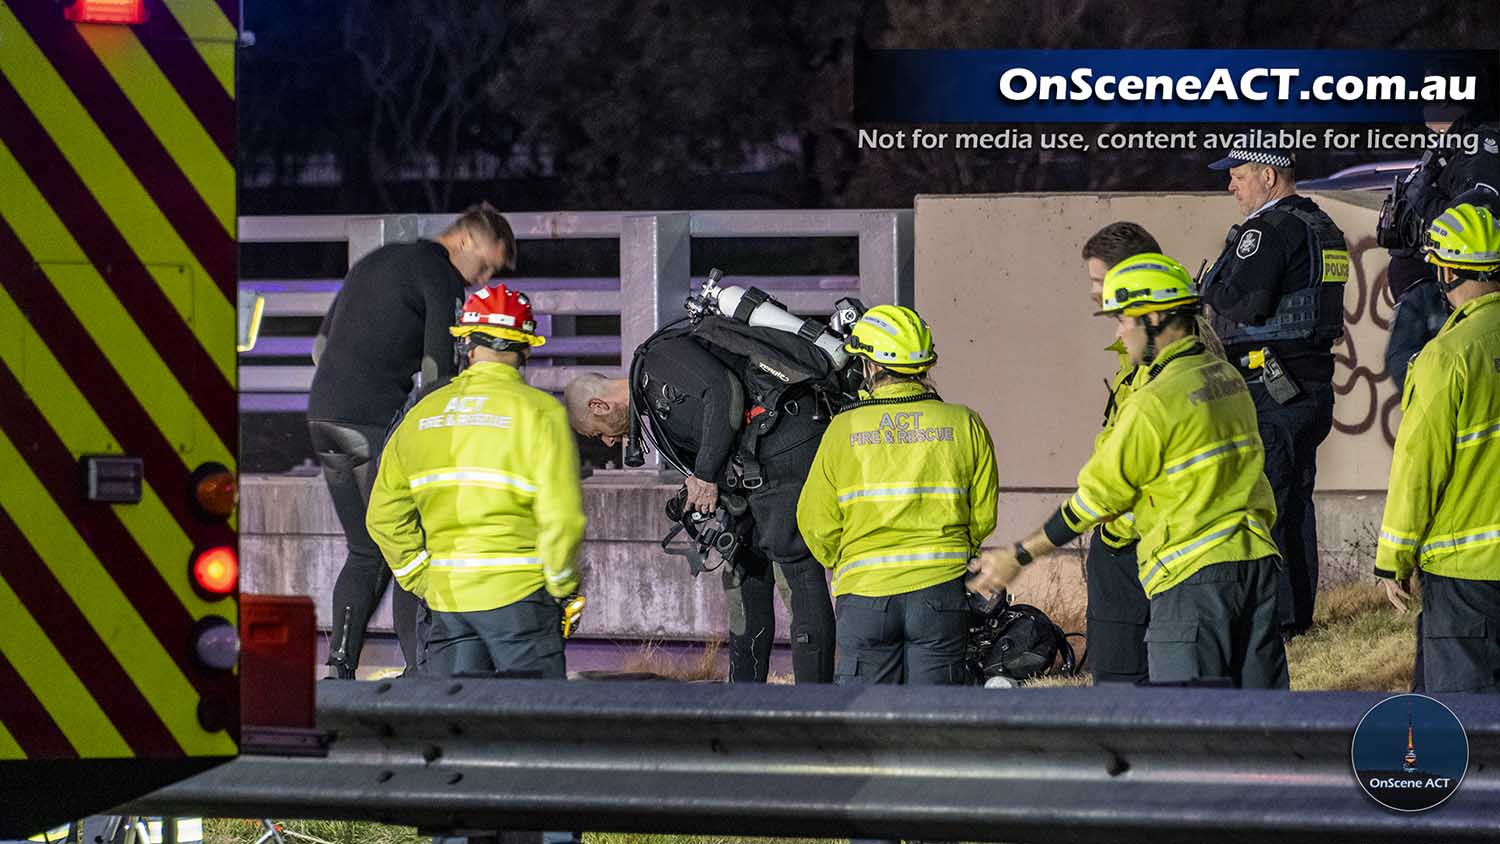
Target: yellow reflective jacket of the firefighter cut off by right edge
(1444, 507)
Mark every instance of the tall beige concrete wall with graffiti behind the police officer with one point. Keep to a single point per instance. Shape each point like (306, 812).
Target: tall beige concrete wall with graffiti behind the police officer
(1001, 281)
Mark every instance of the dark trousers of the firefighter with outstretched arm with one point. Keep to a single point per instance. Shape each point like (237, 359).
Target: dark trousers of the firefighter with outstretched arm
(1220, 623)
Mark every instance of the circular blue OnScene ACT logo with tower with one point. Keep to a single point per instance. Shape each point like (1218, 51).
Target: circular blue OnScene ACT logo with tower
(1411, 753)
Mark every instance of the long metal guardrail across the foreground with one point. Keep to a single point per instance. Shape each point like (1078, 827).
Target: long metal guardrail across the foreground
(1153, 765)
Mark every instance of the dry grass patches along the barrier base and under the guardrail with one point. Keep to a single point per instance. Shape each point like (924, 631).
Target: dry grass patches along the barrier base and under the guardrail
(1358, 644)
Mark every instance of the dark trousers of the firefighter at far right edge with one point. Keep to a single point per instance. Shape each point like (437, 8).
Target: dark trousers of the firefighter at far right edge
(1460, 635)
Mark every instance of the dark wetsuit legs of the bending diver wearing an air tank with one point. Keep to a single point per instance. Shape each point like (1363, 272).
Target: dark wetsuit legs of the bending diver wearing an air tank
(779, 554)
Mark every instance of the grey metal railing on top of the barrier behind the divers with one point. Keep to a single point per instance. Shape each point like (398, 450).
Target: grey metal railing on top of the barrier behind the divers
(655, 251)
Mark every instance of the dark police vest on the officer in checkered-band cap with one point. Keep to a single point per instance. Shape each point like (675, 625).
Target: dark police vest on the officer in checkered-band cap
(1313, 313)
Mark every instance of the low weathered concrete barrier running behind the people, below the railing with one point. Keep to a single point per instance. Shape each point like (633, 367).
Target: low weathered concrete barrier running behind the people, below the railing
(292, 543)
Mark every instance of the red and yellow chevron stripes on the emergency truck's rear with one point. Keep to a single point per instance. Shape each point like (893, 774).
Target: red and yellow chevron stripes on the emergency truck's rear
(118, 332)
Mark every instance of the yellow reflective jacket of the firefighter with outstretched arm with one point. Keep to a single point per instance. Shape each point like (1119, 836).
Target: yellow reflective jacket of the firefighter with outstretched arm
(1186, 458)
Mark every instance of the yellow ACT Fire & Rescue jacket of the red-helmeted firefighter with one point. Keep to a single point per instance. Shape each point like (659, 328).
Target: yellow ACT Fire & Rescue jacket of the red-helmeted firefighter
(478, 500)
